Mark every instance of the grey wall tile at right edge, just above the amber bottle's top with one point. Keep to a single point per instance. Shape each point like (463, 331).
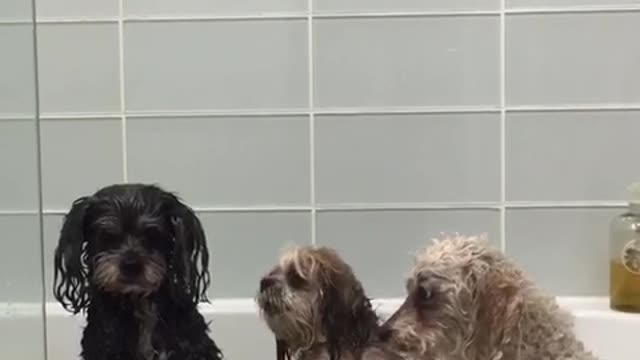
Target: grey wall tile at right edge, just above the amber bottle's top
(586, 155)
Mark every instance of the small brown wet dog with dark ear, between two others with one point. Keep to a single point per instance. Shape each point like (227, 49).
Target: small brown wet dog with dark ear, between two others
(318, 310)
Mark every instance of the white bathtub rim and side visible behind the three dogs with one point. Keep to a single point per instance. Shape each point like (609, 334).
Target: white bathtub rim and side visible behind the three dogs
(242, 336)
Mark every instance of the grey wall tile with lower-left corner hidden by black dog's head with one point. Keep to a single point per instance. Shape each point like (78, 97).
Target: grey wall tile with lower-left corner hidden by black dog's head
(223, 161)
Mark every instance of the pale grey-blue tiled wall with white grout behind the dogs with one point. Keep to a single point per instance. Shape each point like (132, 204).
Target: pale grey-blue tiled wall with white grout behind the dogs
(367, 125)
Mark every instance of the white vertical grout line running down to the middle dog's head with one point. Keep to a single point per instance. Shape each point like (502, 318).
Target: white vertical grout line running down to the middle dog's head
(312, 142)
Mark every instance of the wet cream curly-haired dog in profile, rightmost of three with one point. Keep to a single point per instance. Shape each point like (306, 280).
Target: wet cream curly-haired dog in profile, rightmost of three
(467, 301)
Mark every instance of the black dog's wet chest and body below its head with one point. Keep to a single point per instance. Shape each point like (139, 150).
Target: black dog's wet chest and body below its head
(150, 328)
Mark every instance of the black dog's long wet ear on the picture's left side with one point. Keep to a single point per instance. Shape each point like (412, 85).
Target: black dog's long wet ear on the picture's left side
(70, 281)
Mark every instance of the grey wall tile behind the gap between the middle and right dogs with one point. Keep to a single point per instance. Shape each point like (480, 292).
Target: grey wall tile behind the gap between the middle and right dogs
(367, 239)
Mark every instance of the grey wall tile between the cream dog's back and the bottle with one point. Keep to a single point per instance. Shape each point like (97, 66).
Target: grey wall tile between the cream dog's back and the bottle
(564, 250)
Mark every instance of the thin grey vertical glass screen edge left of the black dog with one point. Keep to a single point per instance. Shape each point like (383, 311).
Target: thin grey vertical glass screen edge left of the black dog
(38, 134)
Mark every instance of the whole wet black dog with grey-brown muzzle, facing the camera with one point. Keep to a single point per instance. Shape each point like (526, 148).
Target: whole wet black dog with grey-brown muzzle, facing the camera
(135, 259)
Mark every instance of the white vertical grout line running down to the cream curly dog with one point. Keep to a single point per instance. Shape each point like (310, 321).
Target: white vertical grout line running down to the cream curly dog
(503, 116)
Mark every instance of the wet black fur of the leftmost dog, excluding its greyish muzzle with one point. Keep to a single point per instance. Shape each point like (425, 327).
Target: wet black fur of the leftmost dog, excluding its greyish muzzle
(113, 320)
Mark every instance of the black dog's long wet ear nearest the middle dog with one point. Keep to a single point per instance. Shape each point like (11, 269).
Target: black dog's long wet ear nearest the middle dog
(190, 260)
